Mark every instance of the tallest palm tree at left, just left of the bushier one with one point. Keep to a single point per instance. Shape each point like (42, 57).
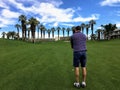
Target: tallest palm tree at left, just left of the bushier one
(23, 19)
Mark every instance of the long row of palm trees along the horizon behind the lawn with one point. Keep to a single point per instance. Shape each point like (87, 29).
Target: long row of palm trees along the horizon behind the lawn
(32, 25)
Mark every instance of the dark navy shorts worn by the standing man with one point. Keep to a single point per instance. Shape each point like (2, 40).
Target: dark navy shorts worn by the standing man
(79, 57)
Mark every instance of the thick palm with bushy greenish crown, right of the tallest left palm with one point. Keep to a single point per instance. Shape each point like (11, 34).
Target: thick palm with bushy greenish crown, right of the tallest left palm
(33, 23)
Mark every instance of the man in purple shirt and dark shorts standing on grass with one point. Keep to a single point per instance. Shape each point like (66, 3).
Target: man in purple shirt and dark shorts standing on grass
(78, 43)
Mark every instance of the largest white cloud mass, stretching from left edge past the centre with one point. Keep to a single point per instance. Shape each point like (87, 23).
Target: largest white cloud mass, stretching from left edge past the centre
(46, 11)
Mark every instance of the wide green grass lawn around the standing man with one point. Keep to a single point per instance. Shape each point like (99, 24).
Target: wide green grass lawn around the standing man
(48, 65)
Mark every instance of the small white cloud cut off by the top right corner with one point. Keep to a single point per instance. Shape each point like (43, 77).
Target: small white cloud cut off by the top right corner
(110, 3)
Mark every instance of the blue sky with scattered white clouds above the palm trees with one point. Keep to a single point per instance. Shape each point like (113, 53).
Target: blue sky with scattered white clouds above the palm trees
(63, 13)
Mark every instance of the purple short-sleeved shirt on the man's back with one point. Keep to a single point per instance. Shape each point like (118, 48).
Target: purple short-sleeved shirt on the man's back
(78, 41)
